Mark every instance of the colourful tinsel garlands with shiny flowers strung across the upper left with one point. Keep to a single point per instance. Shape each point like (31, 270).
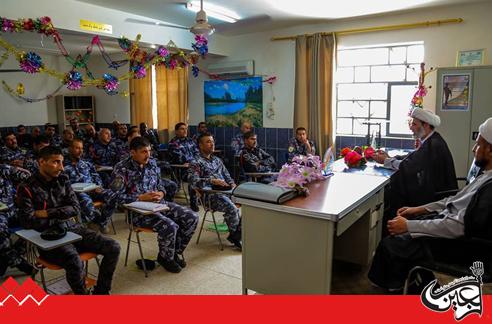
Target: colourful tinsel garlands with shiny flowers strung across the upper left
(140, 60)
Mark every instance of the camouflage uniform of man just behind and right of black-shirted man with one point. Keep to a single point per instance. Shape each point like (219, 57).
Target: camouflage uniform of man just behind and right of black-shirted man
(84, 172)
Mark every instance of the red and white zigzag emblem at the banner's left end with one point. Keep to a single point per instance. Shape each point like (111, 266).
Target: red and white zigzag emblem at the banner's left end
(11, 291)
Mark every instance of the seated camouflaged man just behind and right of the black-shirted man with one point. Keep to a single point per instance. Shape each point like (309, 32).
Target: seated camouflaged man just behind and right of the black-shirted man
(83, 171)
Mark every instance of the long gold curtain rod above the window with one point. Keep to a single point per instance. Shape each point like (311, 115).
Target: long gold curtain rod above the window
(380, 28)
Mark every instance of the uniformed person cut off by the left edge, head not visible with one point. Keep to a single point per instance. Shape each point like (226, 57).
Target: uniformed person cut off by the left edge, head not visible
(10, 255)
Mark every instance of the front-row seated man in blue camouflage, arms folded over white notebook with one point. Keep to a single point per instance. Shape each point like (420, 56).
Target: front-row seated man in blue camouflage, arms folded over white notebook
(136, 178)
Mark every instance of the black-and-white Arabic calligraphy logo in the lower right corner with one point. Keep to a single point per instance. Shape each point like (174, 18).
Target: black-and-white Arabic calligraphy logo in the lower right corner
(464, 294)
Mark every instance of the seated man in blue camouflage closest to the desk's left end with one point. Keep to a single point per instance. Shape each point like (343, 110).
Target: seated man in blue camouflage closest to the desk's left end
(208, 170)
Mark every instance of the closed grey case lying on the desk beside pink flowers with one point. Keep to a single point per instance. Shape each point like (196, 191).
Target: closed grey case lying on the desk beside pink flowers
(264, 192)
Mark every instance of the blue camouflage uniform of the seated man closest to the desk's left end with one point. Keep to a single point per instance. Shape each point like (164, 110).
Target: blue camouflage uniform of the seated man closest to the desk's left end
(200, 174)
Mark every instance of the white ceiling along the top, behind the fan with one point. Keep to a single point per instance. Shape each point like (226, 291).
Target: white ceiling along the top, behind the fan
(262, 15)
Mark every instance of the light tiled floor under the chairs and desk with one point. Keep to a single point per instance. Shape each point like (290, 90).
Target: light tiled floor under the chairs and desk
(209, 271)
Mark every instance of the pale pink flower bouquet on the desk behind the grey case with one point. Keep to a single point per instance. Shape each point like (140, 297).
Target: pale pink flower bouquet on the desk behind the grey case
(300, 172)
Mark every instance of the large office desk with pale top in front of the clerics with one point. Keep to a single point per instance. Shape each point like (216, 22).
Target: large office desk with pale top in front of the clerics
(289, 248)
